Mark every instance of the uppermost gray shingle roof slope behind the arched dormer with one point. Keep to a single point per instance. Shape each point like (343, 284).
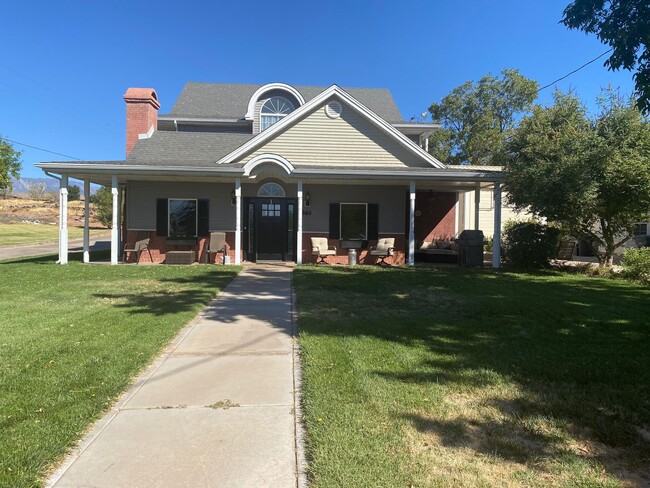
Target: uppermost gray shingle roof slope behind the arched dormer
(230, 101)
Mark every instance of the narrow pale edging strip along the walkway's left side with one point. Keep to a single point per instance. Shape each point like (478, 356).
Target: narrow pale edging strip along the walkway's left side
(59, 468)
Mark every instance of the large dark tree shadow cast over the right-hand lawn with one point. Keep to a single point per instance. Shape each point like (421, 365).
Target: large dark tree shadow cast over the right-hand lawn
(575, 349)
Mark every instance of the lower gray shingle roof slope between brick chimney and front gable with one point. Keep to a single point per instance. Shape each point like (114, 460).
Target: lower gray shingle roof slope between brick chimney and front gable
(187, 148)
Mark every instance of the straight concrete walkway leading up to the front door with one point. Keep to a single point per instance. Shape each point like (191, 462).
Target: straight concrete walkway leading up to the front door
(218, 408)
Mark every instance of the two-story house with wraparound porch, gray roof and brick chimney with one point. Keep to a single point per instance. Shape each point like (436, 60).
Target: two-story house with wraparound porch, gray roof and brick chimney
(274, 165)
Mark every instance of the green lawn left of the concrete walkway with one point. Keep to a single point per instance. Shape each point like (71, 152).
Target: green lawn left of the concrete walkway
(71, 339)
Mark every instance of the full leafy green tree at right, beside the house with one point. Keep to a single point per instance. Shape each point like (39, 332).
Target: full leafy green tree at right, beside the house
(592, 175)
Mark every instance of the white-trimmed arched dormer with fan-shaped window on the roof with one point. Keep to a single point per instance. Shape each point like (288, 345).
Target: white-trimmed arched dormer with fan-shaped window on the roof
(271, 103)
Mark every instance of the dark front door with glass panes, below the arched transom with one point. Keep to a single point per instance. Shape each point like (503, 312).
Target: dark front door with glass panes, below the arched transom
(269, 231)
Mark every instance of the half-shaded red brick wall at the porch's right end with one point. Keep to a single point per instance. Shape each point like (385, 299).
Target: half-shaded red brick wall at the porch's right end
(437, 217)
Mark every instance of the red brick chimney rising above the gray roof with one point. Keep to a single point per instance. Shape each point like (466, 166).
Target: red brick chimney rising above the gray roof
(141, 114)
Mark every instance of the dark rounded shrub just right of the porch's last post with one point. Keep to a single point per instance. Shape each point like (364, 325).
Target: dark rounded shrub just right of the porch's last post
(530, 244)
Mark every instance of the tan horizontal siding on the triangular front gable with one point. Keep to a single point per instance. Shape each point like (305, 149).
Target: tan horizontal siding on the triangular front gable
(350, 140)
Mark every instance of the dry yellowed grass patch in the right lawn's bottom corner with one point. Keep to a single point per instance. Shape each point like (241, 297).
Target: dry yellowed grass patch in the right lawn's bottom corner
(485, 439)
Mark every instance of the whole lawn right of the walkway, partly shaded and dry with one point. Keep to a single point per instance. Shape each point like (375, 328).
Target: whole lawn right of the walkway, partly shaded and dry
(452, 377)
